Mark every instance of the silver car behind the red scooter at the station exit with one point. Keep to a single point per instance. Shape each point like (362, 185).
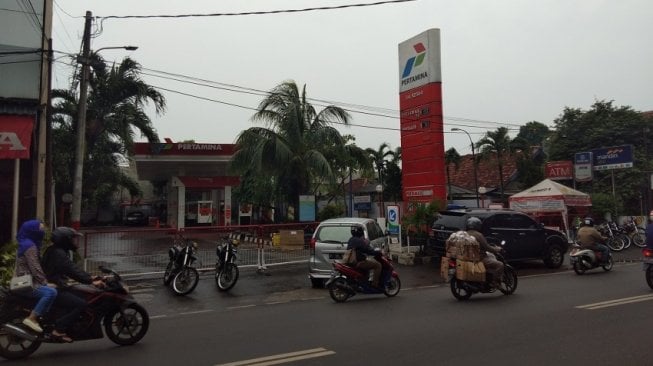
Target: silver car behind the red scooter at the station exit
(329, 243)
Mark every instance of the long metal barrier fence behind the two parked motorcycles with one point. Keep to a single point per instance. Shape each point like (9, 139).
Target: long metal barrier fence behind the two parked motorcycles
(144, 251)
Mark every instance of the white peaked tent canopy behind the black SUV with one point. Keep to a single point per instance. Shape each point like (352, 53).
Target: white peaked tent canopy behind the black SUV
(549, 196)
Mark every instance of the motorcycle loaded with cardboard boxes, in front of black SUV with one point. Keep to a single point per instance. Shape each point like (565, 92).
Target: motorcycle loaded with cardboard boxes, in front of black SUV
(463, 290)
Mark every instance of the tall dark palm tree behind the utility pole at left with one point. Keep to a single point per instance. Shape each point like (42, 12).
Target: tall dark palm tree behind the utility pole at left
(115, 112)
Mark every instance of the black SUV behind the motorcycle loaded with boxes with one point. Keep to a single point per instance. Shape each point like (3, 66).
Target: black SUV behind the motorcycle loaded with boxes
(525, 239)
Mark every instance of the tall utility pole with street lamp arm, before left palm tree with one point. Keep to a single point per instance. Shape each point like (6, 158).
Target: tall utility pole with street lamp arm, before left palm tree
(80, 151)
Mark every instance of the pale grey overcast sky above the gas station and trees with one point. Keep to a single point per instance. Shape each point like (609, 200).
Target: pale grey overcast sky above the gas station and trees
(504, 62)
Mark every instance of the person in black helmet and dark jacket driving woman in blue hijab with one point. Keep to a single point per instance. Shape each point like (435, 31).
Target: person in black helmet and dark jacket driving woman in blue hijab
(59, 268)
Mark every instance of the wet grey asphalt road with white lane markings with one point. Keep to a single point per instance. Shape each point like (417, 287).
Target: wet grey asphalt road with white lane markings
(559, 318)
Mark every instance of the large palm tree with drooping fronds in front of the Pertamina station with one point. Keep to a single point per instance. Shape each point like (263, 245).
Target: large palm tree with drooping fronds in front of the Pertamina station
(291, 147)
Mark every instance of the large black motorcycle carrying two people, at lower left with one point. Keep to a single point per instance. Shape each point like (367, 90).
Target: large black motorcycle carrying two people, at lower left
(125, 322)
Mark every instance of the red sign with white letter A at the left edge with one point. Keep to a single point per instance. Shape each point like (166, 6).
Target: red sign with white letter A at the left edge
(15, 136)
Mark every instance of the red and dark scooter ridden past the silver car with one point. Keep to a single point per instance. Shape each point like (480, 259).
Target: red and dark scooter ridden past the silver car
(346, 281)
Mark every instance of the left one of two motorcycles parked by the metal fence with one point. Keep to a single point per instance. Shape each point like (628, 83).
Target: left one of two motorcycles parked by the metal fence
(180, 274)
